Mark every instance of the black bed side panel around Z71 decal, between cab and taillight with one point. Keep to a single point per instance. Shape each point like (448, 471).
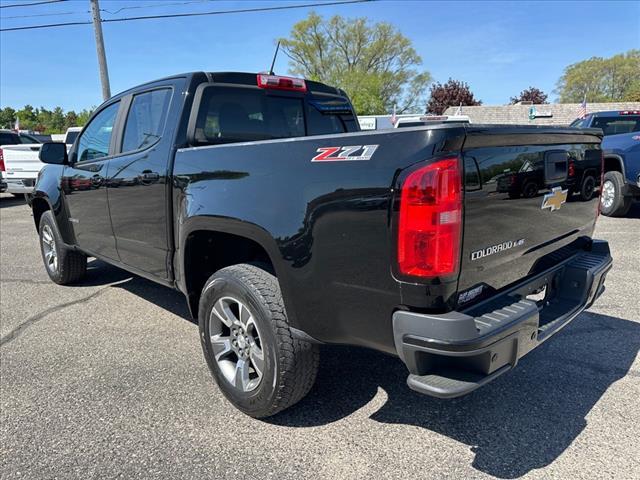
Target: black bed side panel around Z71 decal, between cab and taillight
(326, 225)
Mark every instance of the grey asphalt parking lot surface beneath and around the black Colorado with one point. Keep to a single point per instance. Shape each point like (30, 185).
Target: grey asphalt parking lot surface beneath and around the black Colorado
(107, 379)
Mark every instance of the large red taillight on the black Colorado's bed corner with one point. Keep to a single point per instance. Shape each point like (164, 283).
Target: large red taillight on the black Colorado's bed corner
(430, 223)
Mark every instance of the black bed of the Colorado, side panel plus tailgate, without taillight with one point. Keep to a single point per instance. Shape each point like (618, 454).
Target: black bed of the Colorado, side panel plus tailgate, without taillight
(333, 223)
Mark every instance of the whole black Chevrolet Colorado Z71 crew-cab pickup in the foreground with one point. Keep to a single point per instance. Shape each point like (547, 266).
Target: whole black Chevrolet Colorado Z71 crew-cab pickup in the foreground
(286, 227)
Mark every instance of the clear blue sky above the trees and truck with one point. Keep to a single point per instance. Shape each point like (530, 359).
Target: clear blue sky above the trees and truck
(499, 48)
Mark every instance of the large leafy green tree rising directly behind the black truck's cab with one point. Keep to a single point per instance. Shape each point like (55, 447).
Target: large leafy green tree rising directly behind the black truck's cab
(374, 63)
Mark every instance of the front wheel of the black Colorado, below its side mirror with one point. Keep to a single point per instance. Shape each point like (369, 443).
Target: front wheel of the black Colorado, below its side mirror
(69, 265)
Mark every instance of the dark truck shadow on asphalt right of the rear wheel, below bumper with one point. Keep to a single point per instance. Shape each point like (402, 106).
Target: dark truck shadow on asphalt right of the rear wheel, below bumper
(523, 421)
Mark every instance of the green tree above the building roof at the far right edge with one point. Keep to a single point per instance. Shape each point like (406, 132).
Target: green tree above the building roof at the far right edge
(611, 79)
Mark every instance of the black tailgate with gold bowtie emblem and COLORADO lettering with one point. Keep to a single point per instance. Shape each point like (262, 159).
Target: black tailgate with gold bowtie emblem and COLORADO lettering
(523, 210)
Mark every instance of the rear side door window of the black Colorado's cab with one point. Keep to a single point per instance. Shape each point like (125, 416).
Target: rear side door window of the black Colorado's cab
(146, 119)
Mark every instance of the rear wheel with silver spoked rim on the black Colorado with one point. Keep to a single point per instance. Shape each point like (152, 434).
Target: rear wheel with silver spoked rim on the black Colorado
(290, 364)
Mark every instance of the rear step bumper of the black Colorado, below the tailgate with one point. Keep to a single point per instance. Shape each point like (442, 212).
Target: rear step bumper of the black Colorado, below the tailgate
(450, 355)
